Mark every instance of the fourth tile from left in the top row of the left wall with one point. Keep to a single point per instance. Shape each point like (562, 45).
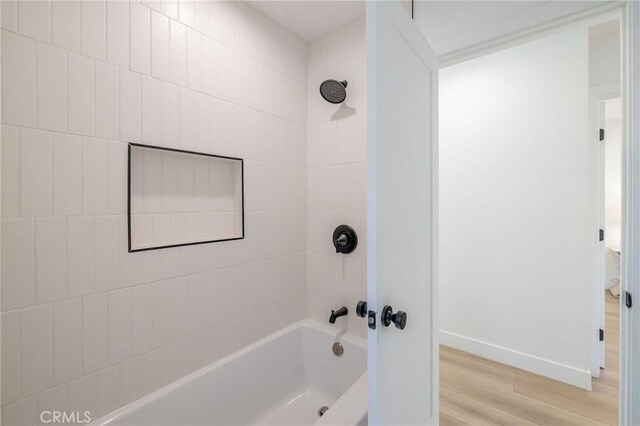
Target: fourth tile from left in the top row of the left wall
(93, 29)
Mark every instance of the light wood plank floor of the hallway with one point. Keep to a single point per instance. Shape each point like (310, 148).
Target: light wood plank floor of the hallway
(476, 391)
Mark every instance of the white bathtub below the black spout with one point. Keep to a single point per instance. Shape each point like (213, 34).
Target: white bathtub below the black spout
(283, 379)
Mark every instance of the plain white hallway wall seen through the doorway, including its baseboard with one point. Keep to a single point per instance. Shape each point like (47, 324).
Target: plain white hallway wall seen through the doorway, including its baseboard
(515, 270)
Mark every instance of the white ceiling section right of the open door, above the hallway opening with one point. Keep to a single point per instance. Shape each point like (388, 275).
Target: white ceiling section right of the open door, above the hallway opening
(453, 25)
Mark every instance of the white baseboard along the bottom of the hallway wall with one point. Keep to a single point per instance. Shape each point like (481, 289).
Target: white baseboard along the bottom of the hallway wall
(544, 367)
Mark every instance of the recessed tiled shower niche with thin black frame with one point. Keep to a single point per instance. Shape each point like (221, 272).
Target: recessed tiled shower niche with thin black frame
(178, 198)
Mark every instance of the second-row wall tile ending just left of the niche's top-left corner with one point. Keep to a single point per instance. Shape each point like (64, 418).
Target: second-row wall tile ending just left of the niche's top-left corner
(107, 101)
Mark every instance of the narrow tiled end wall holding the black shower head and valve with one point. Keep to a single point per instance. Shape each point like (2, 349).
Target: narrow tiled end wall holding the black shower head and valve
(336, 189)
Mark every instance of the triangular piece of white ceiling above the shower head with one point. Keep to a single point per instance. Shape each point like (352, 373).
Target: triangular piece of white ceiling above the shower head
(310, 19)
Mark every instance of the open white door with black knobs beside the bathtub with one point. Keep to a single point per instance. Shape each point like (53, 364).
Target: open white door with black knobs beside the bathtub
(402, 80)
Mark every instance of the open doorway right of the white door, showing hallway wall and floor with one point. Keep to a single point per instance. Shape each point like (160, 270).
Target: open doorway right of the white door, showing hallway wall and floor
(519, 279)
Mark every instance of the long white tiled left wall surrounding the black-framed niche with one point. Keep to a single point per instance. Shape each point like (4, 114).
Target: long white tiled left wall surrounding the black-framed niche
(86, 325)
